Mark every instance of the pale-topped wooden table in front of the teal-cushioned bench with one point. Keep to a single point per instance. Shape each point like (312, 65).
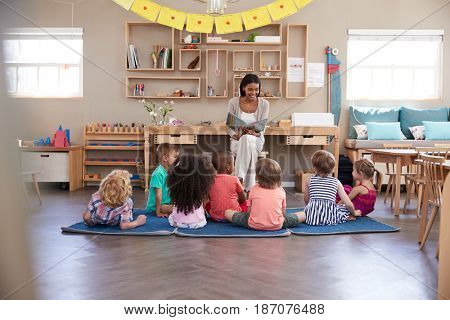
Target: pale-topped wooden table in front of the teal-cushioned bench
(400, 157)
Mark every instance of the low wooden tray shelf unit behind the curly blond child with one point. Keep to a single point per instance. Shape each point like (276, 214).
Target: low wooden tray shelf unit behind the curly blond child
(105, 150)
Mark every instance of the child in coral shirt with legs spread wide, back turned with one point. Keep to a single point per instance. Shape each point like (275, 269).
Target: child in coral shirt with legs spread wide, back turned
(267, 202)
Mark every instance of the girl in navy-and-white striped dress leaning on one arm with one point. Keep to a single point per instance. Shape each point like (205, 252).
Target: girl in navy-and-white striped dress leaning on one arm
(320, 194)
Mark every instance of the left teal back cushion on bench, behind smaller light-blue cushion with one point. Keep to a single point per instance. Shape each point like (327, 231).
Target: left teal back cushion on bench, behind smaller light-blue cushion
(361, 115)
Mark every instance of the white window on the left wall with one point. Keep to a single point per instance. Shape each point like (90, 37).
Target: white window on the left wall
(44, 63)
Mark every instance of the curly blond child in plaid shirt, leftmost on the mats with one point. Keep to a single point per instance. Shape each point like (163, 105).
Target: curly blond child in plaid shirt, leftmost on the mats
(111, 204)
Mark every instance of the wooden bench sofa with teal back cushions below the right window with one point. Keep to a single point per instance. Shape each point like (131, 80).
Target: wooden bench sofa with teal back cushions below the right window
(407, 117)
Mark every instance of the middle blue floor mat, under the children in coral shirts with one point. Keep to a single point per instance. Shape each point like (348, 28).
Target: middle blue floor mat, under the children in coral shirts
(228, 230)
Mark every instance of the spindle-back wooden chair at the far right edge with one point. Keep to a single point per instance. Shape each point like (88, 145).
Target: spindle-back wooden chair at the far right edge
(434, 181)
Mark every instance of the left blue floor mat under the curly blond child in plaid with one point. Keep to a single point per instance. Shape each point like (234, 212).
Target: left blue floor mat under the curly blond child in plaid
(154, 227)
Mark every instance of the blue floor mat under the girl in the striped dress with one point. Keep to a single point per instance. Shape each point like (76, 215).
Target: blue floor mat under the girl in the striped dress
(360, 225)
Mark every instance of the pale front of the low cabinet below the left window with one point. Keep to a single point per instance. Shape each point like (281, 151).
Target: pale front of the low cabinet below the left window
(53, 166)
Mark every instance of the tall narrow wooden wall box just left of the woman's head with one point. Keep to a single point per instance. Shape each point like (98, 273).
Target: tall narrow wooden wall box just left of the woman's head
(217, 73)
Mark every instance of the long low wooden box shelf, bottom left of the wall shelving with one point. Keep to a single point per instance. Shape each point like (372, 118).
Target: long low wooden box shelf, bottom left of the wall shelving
(163, 87)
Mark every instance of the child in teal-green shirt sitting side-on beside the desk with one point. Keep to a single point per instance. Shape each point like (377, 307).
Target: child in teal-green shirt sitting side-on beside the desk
(158, 197)
